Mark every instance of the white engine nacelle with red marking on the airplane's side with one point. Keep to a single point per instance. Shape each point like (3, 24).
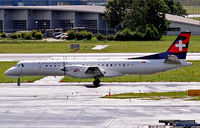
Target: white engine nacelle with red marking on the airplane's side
(78, 72)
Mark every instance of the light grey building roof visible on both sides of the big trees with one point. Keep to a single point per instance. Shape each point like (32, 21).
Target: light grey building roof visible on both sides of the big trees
(96, 9)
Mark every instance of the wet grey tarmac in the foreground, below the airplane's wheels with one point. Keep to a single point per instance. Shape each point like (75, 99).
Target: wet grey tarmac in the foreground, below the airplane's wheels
(78, 105)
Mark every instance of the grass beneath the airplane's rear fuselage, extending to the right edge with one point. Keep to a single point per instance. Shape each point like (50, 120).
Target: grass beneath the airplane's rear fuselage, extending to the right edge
(185, 74)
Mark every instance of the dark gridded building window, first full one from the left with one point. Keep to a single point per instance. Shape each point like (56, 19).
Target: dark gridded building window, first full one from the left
(19, 25)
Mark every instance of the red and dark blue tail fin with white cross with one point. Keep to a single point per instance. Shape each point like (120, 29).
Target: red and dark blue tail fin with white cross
(180, 45)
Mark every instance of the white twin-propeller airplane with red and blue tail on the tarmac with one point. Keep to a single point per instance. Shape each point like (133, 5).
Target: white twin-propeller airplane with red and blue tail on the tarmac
(173, 58)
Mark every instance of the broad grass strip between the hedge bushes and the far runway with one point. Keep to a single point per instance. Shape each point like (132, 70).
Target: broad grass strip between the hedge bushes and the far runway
(20, 46)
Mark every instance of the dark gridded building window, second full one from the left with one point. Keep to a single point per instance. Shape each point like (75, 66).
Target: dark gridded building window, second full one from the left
(42, 24)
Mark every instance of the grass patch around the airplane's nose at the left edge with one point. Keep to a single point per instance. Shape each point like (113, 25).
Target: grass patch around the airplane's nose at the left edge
(4, 79)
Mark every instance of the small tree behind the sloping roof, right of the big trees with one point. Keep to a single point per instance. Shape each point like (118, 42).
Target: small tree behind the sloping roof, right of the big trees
(175, 8)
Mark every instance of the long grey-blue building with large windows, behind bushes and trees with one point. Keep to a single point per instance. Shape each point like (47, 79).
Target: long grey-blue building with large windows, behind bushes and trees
(22, 18)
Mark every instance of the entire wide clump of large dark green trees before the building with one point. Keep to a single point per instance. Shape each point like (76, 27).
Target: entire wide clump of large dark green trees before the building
(136, 14)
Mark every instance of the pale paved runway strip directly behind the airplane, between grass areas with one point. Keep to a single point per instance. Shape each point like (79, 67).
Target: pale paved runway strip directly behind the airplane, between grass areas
(47, 56)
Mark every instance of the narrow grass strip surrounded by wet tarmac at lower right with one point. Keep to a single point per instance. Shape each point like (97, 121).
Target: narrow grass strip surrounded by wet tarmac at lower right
(154, 96)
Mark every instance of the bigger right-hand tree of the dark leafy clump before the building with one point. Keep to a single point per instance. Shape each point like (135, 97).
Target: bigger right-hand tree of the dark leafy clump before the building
(147, 12)
